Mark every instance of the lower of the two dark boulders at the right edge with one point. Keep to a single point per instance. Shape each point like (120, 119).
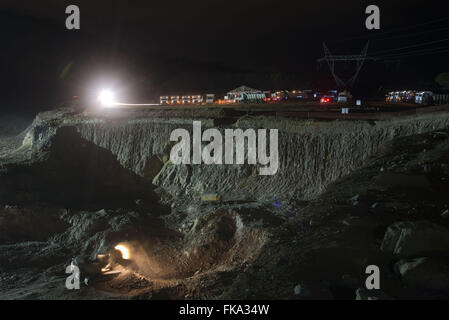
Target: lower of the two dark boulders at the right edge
(424, 273)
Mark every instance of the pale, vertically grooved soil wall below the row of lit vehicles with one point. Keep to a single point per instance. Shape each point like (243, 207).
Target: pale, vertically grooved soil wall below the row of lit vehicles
(311, 154)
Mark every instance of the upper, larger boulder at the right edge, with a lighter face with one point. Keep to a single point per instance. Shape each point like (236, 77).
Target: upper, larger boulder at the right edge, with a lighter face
(416, 239)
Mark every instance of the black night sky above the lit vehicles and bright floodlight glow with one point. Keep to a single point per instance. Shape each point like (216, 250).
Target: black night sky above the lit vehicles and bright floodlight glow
(147, 48)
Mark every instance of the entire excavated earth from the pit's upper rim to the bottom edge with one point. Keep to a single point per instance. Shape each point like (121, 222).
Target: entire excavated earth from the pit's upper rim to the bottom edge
(68, 192)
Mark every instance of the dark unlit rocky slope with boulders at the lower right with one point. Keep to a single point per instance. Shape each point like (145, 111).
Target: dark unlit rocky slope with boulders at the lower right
(392, 213)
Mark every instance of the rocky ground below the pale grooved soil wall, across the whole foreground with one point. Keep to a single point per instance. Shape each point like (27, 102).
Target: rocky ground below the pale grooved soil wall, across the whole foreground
(392, 212)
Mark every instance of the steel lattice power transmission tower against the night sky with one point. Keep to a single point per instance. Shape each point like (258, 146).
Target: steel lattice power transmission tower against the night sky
(358, 59)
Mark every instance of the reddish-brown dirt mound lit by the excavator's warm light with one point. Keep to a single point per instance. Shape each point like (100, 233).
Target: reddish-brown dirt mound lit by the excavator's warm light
(218, 241)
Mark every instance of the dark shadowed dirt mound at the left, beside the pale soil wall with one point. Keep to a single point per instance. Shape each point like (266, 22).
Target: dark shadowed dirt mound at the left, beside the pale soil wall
(73, 172)
